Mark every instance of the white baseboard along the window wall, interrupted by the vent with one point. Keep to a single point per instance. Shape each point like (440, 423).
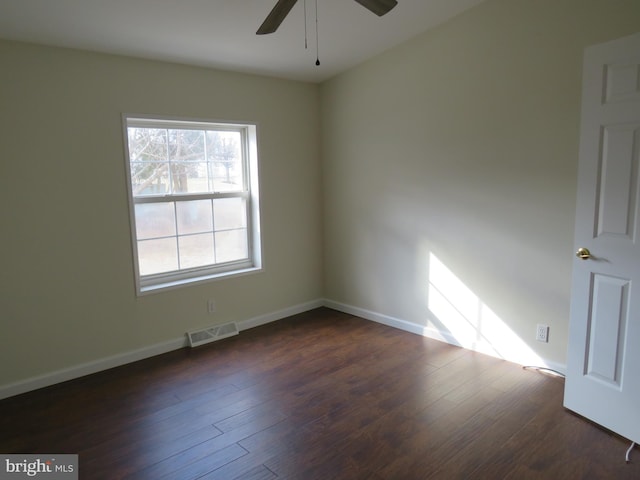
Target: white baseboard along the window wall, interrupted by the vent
(58, 376)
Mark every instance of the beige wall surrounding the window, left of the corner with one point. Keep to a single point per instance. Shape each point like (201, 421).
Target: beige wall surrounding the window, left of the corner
(66, 281)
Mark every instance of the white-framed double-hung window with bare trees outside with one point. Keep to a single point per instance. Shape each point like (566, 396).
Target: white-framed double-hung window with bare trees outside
(194, 200)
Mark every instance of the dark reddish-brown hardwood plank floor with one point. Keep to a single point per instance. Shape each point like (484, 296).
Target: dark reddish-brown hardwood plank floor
(321, 395)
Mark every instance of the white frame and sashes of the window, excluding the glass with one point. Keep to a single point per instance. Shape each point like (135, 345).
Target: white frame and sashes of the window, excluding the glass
(161, 281)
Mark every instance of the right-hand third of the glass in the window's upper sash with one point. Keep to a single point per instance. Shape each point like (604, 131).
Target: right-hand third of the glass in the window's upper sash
(224, 154)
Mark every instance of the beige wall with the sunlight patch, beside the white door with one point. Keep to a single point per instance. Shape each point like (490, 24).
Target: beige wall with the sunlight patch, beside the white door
(451, 160)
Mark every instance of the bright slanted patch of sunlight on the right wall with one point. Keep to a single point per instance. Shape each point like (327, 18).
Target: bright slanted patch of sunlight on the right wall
(469, 320)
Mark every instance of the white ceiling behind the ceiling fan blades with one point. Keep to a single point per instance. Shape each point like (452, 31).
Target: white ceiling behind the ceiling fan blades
(221, 33)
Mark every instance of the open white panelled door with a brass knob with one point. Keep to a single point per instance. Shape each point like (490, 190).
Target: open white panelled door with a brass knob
(603, 362)
